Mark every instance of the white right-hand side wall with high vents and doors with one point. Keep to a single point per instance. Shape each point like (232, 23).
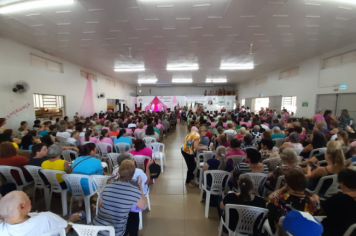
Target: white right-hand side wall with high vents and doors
(310, 82)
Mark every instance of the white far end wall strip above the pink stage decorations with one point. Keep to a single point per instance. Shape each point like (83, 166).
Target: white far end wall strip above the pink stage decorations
(178, 91)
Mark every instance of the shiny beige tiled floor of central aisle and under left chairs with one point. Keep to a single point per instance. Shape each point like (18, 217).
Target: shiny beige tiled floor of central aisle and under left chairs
(175, 209)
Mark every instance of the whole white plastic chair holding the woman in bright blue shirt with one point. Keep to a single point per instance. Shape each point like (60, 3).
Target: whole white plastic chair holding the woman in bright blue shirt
(73, 182)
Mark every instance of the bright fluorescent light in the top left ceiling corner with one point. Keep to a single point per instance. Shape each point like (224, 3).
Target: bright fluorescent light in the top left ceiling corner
(27, 5)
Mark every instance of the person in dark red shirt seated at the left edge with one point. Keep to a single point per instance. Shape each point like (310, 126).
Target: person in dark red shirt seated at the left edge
(9, 157)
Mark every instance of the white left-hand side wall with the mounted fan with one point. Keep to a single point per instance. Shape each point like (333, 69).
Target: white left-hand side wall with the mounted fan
(15, 65)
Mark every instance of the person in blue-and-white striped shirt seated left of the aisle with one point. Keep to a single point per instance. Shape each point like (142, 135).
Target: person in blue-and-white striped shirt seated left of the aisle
(116, 201)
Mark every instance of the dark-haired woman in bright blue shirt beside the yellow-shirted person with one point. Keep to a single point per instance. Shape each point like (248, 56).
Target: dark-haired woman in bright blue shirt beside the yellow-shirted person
(87, 165)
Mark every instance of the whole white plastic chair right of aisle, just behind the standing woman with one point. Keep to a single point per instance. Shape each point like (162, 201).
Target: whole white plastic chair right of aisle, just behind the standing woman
(216, 188)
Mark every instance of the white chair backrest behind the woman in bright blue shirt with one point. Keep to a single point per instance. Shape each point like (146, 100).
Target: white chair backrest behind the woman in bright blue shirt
(73, 182)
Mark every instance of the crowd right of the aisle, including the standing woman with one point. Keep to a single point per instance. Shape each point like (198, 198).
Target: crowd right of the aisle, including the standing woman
(293, 155)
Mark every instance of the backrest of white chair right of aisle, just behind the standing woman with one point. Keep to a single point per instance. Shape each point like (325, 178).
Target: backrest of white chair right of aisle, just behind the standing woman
(217, 179)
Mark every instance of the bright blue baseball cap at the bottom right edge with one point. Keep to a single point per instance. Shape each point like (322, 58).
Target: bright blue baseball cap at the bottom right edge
(302, 224)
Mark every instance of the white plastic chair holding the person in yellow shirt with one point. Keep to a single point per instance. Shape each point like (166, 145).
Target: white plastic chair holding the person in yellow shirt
(56, 188)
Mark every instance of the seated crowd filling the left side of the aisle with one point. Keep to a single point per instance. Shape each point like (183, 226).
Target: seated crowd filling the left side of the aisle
(44, 146)
